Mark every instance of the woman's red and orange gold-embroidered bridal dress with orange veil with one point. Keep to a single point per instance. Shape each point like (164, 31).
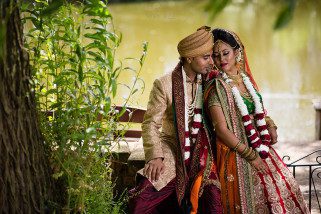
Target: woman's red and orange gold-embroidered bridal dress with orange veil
(244, 190)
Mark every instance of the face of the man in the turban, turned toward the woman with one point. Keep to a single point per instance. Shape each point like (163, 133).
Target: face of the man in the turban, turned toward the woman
(202, 64)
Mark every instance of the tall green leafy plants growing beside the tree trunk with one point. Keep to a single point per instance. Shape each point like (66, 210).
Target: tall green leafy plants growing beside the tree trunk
(72, 54)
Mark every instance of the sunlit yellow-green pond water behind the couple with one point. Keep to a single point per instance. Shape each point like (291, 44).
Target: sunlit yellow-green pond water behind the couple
(285, 64)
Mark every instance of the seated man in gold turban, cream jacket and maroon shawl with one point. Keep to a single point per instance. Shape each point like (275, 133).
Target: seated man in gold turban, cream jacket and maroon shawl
(180, 173)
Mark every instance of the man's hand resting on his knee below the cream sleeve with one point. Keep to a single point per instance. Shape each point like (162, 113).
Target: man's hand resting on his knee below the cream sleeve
(154, 168)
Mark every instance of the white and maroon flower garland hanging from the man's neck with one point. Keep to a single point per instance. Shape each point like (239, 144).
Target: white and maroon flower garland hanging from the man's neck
(197, 116)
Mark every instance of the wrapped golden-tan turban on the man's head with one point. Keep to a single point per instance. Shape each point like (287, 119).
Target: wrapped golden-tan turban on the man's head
(197, 43)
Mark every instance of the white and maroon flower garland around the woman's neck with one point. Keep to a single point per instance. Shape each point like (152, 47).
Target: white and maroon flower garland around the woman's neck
(260, 138)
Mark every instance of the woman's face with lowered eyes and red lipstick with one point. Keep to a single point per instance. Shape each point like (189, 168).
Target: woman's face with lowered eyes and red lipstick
(224, 57)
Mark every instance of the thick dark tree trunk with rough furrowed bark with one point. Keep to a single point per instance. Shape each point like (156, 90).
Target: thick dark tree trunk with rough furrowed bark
(24, 172)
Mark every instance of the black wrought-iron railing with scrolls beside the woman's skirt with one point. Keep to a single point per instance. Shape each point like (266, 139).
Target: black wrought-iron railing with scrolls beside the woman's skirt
(314, 173)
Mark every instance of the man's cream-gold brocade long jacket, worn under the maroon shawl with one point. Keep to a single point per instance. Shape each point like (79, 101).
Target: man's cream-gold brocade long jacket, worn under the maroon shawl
(158, 129)
